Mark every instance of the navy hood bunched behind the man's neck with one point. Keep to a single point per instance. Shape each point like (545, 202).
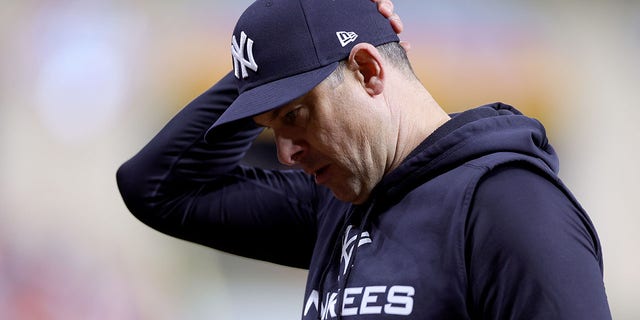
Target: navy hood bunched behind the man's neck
(467, 136)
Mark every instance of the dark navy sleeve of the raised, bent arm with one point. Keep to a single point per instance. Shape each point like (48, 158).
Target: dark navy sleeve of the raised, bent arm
(185, 187)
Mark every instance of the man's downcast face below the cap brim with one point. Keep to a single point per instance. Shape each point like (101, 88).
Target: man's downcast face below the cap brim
(335, 133)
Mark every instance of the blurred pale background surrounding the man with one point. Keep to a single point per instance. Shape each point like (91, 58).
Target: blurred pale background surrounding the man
(85, 84)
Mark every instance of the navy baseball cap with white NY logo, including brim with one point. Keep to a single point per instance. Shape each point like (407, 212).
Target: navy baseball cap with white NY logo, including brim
(281, 49)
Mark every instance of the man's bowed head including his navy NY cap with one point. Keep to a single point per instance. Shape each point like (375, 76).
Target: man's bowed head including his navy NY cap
(324, 94)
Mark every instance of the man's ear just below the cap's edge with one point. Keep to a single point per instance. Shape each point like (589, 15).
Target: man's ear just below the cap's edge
(367, 62)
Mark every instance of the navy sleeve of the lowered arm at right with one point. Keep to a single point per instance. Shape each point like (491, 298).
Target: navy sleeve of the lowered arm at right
(531, 253)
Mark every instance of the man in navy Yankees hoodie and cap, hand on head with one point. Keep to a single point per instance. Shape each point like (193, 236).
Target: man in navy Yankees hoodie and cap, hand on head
(398, 210)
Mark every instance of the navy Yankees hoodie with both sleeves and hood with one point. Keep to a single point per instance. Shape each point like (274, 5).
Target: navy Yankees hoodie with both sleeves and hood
(474, 224)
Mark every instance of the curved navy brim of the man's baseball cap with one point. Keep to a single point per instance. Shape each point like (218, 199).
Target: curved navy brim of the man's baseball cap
(271, 95)
